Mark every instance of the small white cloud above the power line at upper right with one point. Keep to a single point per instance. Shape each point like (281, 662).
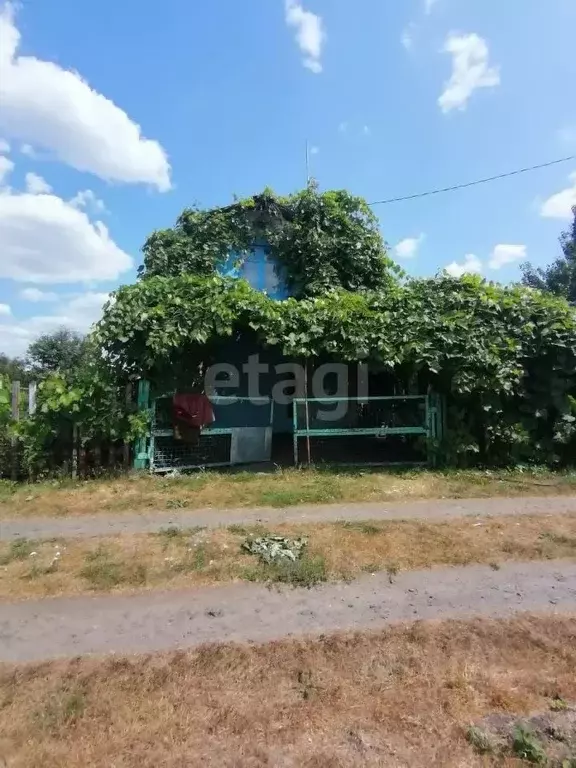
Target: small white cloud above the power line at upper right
(470, 70)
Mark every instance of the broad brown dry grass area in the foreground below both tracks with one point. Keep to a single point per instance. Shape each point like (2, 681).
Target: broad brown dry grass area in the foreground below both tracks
(400, 697)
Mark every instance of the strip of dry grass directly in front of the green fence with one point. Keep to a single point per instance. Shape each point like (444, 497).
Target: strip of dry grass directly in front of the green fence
(282, 488)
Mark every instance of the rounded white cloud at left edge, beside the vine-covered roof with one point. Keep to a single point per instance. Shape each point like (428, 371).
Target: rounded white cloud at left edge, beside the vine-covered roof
(46, 240)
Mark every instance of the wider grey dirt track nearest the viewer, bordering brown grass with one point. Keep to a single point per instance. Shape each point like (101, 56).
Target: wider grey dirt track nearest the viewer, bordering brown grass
(249, 612)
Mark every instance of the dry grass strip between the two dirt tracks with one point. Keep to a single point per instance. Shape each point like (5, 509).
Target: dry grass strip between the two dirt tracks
(176, 559)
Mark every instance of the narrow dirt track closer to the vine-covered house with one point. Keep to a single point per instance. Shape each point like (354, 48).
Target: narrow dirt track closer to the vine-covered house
(151, 521)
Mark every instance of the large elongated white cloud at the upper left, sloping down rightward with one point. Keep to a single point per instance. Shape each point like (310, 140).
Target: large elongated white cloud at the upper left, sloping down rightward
(56, 109)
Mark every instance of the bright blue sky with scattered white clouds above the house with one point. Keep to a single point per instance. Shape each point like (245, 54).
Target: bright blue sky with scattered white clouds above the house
(115, 116)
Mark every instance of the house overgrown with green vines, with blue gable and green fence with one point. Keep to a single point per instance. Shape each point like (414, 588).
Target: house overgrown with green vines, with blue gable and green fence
(278, 329)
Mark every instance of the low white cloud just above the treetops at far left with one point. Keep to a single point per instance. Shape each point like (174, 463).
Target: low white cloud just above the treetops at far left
(78, 313)
